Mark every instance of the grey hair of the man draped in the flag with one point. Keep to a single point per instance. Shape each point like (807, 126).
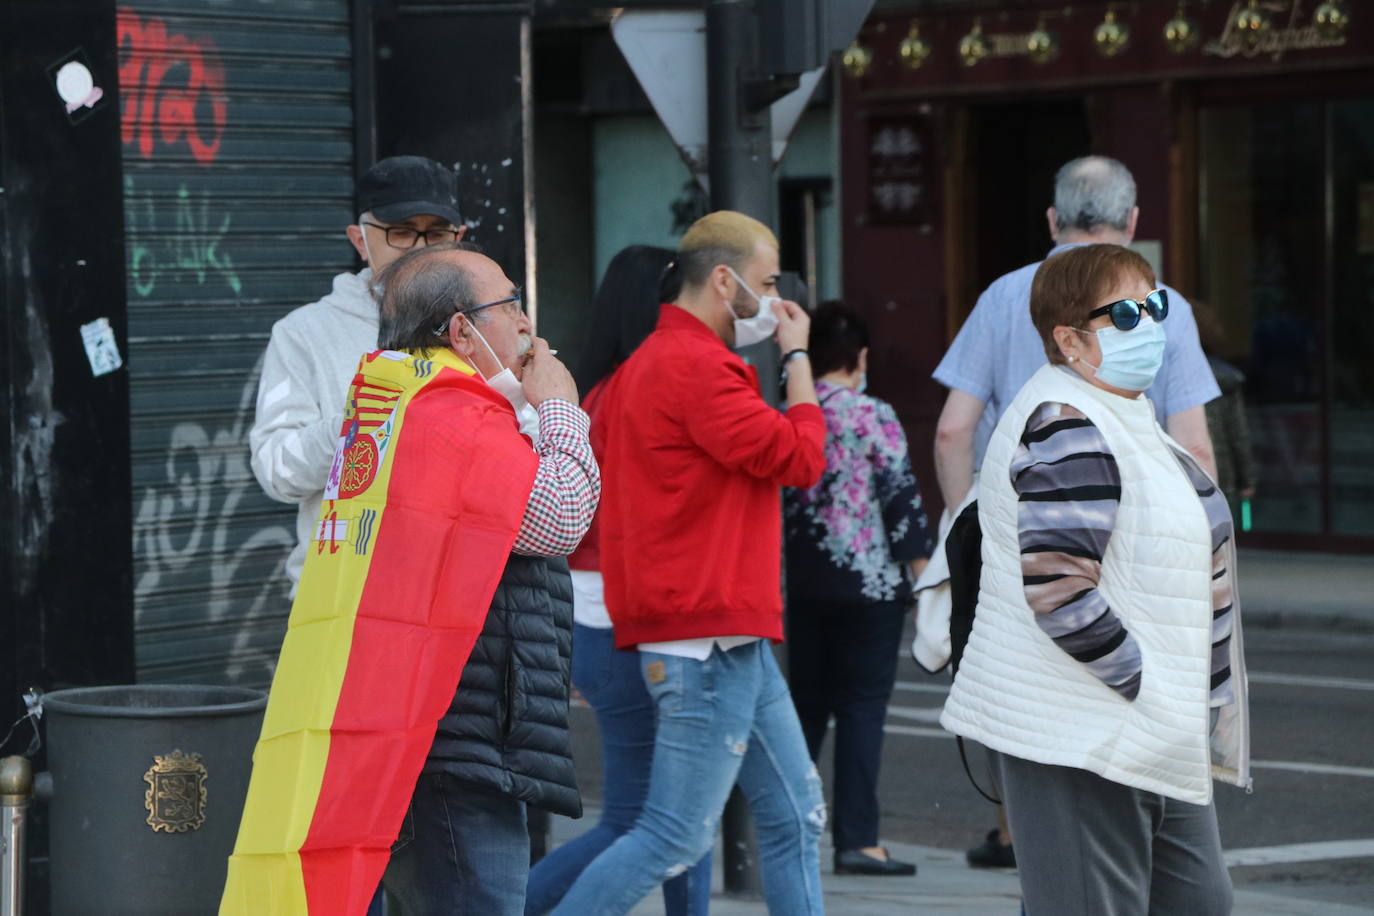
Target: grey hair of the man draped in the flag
(421, 292)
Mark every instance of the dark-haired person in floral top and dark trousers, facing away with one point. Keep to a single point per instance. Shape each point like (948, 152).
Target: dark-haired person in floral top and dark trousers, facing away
(855, 543)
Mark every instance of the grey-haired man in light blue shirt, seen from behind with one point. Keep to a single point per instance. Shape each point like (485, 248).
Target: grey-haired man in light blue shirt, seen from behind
(998, 351)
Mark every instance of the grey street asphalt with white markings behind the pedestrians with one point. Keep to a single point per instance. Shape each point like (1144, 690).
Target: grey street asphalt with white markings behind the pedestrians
(1302, 844)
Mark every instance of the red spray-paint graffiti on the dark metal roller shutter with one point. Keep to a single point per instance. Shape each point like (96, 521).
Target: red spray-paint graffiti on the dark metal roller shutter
(194, 108)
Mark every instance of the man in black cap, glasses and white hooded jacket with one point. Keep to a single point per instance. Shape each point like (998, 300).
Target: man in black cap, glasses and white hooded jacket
(406, 201)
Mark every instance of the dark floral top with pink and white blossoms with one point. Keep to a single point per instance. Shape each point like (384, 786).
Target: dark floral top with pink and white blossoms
(851, 536)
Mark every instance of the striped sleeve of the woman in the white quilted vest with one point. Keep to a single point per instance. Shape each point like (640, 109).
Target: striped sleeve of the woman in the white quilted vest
(1070, 490)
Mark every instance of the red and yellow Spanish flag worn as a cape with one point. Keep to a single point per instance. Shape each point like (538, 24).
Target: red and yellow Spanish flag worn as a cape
(423, 506)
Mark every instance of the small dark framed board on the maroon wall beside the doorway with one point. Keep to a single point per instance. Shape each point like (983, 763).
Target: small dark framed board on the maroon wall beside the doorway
(899, 174)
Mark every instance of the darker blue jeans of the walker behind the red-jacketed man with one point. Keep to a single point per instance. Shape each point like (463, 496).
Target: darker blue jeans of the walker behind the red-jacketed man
(612, 683)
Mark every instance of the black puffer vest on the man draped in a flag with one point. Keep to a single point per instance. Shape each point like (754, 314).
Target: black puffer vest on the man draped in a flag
(506, 730)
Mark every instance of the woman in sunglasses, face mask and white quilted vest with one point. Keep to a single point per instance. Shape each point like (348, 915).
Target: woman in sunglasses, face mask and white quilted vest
(1105, 667)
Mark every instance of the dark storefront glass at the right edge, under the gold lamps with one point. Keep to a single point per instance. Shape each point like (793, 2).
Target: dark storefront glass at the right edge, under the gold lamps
(1288, 263)
